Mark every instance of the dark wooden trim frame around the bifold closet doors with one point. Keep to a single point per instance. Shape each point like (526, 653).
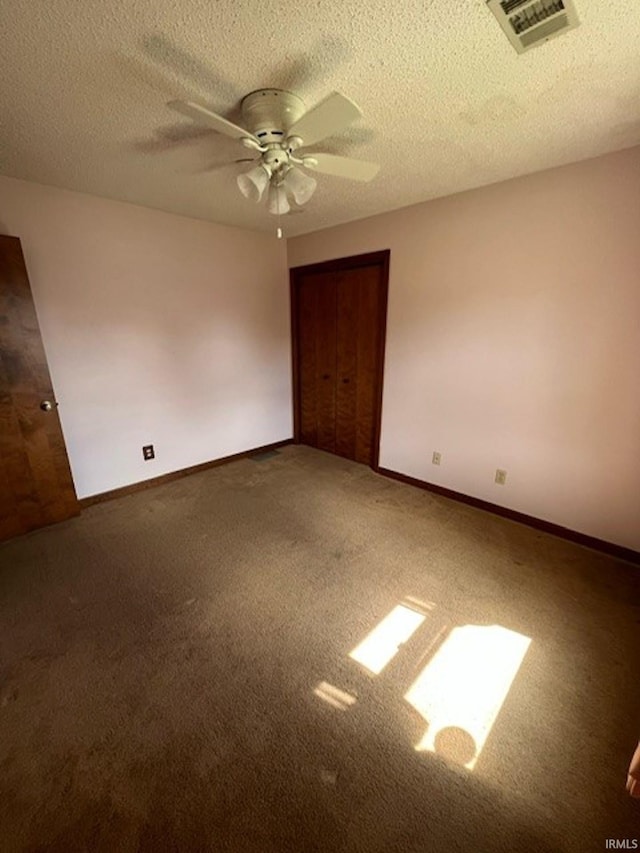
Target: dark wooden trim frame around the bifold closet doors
(296, 274)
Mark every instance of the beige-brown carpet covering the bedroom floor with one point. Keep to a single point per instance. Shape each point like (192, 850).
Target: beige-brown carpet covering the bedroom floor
(159, 657)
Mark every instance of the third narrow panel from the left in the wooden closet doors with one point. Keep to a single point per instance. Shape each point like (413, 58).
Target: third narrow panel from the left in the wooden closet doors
(347, 362)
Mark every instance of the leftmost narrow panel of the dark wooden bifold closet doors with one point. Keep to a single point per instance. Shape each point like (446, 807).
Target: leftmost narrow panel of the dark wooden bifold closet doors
(307, 369)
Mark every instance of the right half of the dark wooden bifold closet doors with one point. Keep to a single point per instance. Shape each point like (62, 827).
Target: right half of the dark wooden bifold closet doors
(358, 307)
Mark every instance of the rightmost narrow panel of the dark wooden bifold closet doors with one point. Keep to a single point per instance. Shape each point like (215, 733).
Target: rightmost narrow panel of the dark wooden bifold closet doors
(367, 284)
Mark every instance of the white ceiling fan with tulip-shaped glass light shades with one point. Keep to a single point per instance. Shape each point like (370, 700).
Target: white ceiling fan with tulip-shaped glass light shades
(277, 129)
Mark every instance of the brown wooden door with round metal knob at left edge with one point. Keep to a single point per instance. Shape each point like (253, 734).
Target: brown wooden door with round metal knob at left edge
(36, 487)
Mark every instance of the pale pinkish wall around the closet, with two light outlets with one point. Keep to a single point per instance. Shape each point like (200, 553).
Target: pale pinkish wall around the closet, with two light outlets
(513, 341)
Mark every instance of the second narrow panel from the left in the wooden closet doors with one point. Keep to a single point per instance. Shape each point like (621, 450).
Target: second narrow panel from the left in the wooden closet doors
(326, 344)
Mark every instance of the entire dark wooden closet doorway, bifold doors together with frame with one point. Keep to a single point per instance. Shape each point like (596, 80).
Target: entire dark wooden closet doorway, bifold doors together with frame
(339, 318)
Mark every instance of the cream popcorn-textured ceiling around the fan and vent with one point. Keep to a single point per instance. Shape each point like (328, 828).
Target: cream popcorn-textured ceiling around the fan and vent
(448, 104)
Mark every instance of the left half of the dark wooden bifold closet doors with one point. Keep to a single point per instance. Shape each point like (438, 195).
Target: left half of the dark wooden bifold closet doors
(317, 349)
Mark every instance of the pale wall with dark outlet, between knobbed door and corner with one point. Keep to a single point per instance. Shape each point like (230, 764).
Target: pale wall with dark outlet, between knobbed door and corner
(158, 329)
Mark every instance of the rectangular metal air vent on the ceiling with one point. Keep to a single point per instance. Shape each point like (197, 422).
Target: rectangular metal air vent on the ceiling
(530, 23)
